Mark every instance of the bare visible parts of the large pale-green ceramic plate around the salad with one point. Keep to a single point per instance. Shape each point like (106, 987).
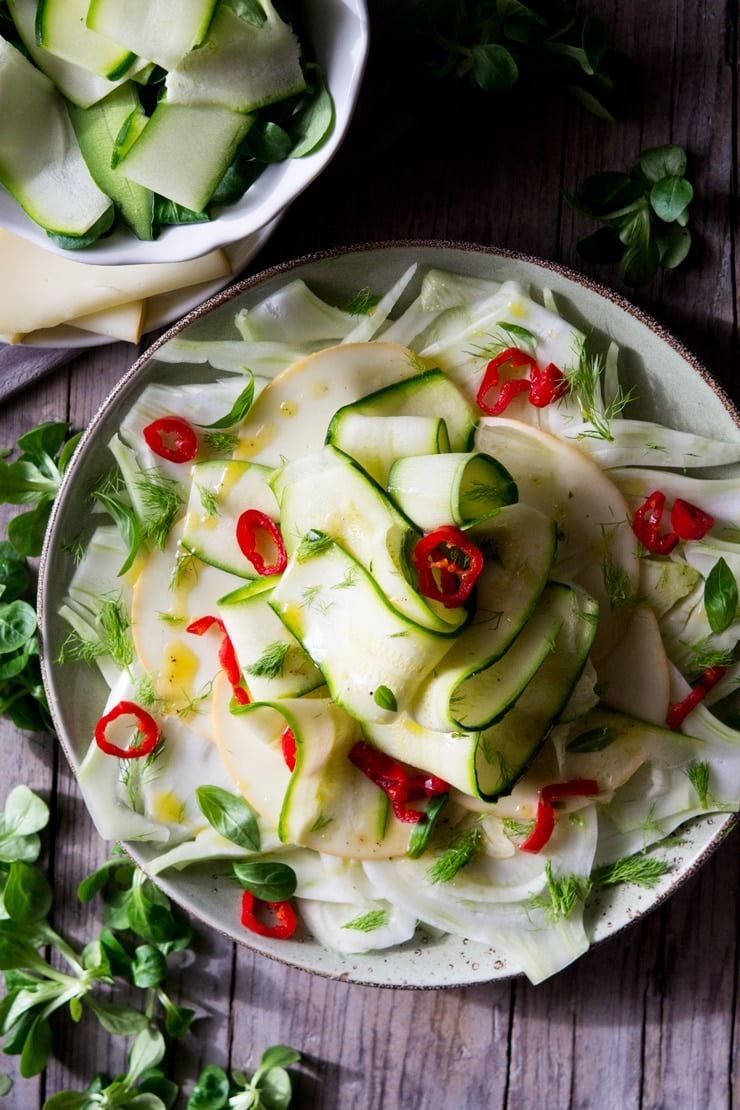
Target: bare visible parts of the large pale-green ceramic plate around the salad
(672, 386)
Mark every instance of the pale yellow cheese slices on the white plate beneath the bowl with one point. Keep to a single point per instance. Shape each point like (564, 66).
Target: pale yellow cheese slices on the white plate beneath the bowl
(42, 290)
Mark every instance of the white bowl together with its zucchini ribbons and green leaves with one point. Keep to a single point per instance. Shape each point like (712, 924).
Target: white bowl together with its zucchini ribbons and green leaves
(135, 137)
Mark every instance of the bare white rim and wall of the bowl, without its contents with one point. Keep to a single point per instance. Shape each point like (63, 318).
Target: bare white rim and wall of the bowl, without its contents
(339, 32)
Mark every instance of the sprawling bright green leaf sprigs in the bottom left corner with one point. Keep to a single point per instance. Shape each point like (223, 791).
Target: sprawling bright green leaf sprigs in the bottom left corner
(140, 931)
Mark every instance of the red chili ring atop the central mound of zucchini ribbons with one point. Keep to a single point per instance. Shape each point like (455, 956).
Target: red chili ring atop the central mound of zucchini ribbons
(448, 566)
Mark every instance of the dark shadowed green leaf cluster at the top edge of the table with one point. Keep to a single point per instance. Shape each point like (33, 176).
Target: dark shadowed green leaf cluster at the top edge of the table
(539, 48)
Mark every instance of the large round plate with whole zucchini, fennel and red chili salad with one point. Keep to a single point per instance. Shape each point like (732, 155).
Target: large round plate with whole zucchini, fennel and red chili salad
(399, 641)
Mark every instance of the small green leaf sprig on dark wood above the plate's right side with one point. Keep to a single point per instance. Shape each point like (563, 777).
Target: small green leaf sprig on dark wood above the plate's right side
(644, 215)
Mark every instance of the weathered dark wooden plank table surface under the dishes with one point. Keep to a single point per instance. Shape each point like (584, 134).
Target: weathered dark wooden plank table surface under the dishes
(651, 1018)
